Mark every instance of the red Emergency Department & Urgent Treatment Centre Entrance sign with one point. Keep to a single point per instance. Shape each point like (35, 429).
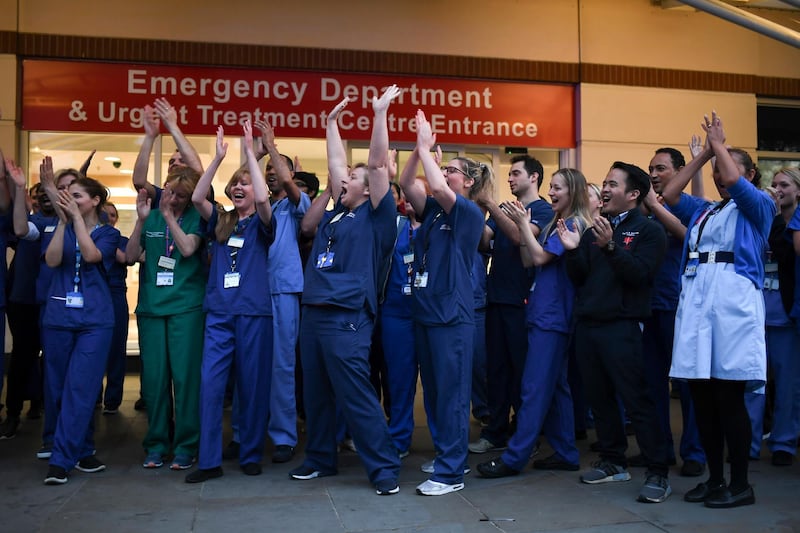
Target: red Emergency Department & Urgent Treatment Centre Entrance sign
(109, 97)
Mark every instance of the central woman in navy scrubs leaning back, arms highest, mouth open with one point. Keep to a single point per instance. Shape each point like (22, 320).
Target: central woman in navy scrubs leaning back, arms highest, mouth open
(340, 302)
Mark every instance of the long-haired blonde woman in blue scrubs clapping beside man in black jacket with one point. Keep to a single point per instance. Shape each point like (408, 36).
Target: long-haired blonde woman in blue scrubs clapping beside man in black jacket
(546, 398)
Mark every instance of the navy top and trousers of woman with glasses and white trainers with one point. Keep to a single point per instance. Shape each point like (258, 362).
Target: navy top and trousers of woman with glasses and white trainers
(444, 327)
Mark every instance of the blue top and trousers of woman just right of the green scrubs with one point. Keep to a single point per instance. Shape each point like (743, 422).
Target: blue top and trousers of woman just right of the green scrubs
(238, 332)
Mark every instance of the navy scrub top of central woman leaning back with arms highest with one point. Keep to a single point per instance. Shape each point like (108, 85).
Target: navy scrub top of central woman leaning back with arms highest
(361, 242)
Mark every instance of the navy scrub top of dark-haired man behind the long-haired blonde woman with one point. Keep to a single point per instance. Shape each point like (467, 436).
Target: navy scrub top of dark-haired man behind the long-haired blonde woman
(509, 282)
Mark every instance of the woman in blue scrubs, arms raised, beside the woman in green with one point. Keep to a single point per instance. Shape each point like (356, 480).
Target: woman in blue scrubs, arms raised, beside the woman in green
(239, 312)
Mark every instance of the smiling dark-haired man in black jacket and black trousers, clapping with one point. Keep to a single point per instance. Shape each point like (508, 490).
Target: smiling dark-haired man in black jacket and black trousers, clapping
(613, 266)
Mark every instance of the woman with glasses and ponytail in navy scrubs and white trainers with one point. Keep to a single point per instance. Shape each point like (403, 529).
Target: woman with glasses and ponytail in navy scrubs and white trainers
(443, 302)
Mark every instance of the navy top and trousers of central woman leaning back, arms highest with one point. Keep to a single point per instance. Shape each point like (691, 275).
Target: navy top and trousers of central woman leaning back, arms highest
(340, 302)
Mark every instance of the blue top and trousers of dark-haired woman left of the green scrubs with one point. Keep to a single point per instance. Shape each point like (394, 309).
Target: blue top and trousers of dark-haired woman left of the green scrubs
(76, 339)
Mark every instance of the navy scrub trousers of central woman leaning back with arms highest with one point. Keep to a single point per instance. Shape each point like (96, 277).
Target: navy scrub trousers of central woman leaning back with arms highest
(334, 347)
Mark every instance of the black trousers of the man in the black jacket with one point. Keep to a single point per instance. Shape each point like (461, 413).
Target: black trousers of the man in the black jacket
(610, 361)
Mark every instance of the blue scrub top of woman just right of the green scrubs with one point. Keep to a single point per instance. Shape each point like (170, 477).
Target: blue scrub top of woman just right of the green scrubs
(253, 296)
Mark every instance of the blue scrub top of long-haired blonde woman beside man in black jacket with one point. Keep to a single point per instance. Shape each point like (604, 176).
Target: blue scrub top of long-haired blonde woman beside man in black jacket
(553, 297)
